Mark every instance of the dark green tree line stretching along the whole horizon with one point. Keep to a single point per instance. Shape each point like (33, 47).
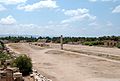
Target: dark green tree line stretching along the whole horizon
(57, 39)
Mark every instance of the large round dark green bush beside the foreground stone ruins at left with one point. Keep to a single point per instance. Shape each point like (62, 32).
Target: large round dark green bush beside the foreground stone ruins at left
(24, 64)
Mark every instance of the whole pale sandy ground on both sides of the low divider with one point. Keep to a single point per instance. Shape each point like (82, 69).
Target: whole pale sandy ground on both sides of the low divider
(69, 66)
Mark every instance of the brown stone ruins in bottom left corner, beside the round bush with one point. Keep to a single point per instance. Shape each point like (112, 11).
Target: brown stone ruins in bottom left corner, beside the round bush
(10, 74)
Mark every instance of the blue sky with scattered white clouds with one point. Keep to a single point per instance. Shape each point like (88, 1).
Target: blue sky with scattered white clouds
(60, 17)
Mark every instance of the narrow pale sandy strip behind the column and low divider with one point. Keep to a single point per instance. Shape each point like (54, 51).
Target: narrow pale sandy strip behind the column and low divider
(111, 51)
